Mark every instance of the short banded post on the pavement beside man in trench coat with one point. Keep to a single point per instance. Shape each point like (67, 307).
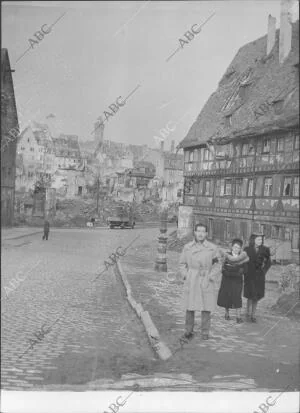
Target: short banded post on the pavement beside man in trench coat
(161, 258)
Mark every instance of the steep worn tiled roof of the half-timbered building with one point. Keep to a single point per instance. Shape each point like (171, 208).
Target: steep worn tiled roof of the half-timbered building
(252, 79)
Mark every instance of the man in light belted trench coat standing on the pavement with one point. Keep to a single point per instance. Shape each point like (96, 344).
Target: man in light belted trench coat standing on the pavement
(199, 273)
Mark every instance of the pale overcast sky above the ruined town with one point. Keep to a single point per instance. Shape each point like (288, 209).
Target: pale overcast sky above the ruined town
(99, 51)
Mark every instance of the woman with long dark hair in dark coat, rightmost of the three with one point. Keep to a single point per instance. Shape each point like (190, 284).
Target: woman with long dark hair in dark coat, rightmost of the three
(254, 281)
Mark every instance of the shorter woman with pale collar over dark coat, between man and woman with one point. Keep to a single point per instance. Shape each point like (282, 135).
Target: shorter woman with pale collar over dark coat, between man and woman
(233, 269)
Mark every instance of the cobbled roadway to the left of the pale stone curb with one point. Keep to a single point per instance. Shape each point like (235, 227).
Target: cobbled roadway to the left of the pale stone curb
(97, 337)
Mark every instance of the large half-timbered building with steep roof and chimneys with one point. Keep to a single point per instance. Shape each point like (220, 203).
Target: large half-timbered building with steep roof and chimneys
(241, 156)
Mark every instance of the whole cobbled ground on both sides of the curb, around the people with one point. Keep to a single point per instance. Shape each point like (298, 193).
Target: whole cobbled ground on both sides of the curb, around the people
(96, 337)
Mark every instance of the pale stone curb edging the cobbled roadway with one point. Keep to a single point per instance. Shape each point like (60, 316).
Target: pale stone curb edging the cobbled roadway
(161, 349)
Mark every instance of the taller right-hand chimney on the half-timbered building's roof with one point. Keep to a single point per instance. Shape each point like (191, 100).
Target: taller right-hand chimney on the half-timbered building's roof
(285, 36)
